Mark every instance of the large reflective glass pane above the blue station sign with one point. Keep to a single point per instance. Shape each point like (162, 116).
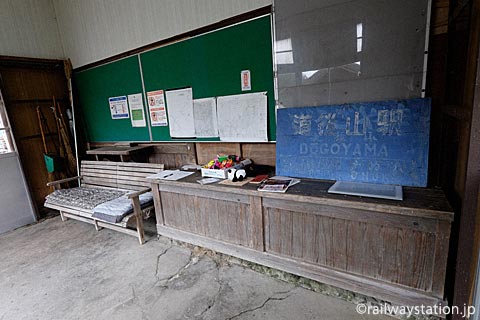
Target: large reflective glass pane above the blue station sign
(343, 51)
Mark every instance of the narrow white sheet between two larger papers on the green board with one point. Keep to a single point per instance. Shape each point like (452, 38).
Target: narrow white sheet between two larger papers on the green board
(205, 115)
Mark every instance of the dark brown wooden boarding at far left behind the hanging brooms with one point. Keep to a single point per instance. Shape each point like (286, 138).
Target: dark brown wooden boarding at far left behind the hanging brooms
(26, 84)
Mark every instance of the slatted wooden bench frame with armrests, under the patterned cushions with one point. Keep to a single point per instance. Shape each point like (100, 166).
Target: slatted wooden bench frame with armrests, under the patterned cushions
(123, 176)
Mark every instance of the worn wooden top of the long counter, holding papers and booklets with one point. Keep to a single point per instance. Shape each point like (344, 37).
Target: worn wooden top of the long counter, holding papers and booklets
(418, 202)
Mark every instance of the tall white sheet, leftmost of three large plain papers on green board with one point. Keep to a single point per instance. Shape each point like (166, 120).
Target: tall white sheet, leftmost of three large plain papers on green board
(180, 113)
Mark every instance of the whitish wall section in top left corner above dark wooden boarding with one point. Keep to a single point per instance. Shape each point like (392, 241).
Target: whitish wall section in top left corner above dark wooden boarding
(28, 28)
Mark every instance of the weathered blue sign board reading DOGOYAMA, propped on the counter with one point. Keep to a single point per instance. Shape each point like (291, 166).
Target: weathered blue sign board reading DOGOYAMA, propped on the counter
(382, 142)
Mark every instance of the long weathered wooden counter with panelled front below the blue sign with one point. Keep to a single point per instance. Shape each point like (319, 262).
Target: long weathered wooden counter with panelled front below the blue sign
(391, 250)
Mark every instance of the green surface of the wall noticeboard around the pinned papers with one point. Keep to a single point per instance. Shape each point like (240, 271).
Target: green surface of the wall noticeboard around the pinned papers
(210, 63)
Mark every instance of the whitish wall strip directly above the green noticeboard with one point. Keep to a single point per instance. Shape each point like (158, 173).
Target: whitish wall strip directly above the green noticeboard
(92, 30)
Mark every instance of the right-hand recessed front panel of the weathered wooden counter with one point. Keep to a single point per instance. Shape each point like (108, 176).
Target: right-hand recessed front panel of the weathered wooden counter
(396, 255)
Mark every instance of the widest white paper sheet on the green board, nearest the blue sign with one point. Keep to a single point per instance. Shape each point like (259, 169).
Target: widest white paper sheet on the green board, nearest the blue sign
(243, 117)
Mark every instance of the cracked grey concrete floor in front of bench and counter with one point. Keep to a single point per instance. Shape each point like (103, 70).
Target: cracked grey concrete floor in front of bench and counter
(55, 270)
